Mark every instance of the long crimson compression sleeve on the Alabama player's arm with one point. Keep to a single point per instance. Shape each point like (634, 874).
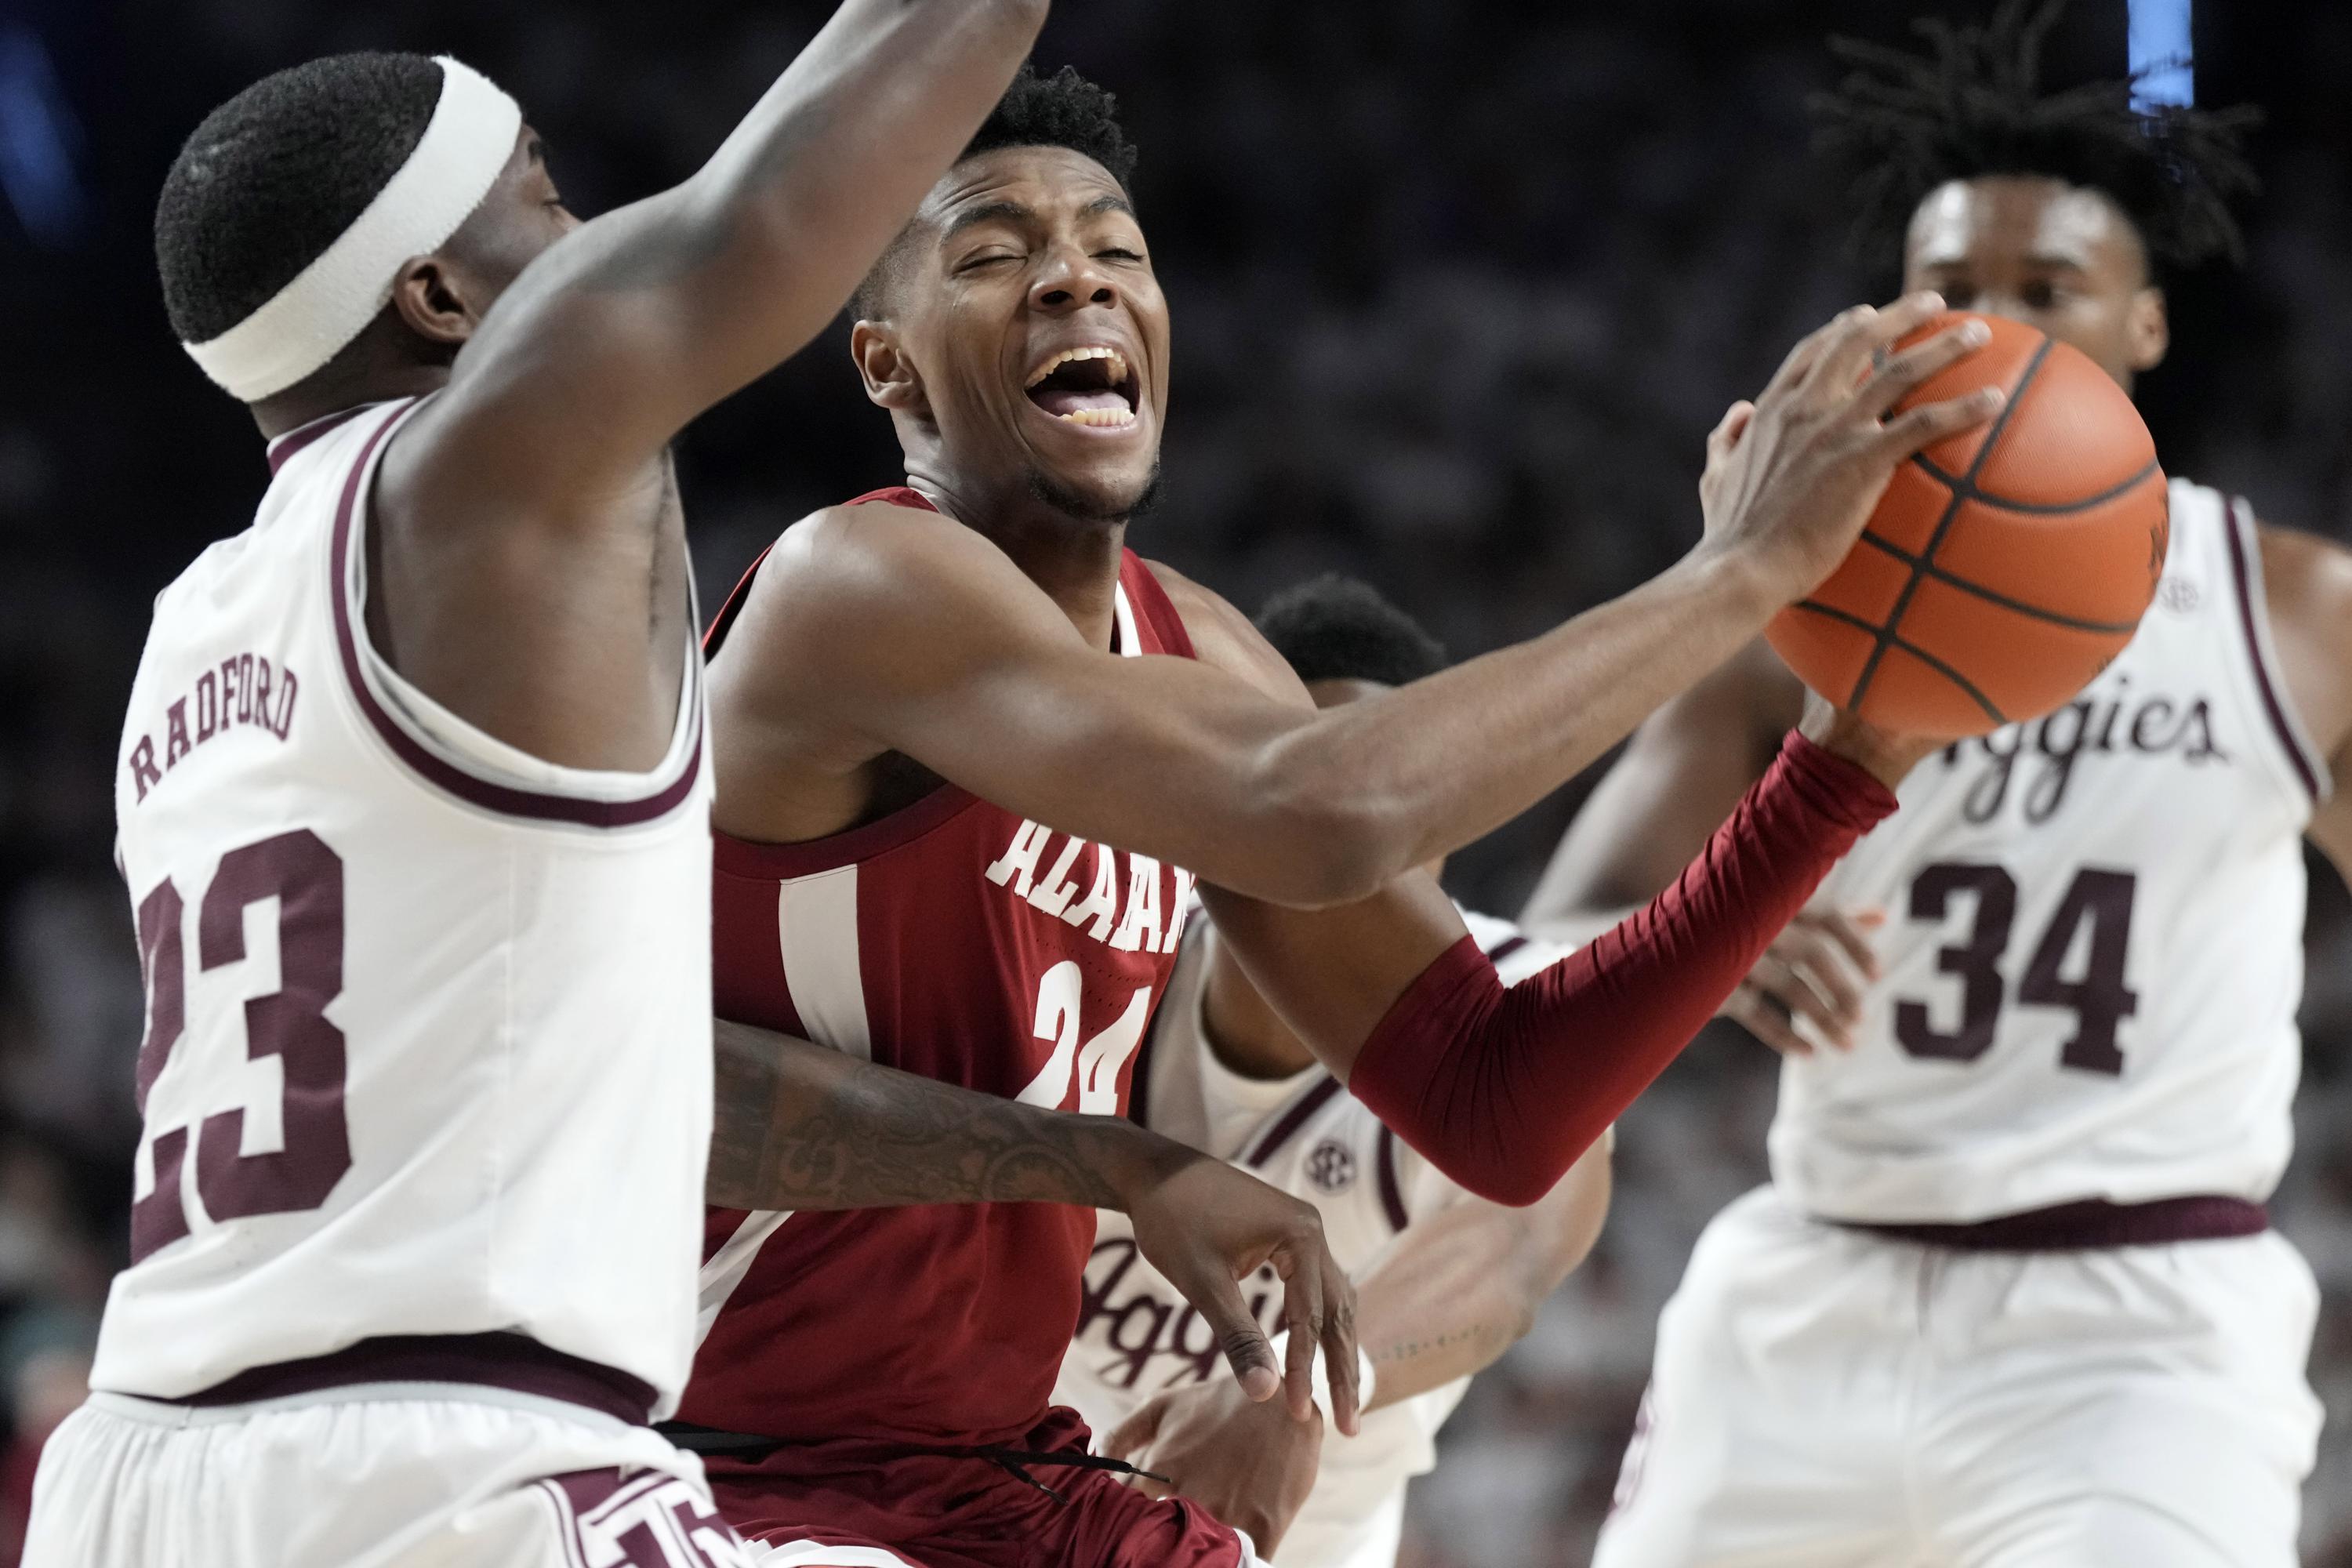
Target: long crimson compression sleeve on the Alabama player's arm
(1504, 1090)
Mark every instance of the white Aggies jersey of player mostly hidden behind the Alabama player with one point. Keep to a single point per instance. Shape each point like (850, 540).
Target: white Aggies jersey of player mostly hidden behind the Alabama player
(1316, 1141)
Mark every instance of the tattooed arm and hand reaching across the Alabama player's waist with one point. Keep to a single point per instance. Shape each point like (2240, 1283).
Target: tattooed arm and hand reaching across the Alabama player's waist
(801, 1127)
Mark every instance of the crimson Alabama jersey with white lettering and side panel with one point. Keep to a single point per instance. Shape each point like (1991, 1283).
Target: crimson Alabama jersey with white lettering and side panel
(965, 944)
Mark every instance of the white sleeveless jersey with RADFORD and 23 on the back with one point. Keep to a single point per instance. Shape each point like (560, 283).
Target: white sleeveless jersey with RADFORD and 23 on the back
(429, 1021)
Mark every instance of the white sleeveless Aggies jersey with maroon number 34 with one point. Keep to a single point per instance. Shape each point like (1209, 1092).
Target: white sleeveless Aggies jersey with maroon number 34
(2094, 937)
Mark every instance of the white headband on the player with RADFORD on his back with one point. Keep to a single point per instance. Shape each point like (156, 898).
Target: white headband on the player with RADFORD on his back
(333, 300)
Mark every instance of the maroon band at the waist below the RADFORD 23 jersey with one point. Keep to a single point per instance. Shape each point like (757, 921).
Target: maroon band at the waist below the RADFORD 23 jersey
(486, 1360)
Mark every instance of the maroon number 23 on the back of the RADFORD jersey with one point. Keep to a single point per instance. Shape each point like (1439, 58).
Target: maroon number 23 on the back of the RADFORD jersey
(290, 1024)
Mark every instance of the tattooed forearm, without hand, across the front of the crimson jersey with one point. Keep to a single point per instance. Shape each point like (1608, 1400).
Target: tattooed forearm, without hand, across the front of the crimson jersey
(803, 1127)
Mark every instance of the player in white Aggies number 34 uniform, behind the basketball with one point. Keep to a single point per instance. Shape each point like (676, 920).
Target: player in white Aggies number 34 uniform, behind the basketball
(2012, 1296)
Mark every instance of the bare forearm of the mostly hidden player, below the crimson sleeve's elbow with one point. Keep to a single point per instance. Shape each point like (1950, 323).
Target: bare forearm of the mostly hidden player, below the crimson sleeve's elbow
(1464, 1287)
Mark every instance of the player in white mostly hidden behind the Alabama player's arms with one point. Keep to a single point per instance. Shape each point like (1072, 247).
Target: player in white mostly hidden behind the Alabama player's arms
(1445, 1280)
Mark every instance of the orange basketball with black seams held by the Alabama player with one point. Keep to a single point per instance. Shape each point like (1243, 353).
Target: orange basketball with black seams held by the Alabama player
(2005, 565)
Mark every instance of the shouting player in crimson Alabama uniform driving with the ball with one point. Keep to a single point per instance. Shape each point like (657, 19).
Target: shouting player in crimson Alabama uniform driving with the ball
(965, 742)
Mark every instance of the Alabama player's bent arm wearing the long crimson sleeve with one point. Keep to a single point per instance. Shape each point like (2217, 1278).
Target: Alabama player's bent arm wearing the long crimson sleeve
(1506, 1090)
